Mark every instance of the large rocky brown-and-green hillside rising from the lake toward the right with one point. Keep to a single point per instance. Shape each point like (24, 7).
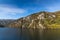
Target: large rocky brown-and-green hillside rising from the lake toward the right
(38, 20)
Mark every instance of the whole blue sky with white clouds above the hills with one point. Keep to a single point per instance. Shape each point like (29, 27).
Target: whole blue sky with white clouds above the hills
(14, 9)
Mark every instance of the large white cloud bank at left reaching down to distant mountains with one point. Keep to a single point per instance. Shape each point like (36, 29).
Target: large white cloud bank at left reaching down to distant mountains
(6, 11)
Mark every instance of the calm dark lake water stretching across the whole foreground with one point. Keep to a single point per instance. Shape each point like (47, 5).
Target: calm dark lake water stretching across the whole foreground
(29, 34)
